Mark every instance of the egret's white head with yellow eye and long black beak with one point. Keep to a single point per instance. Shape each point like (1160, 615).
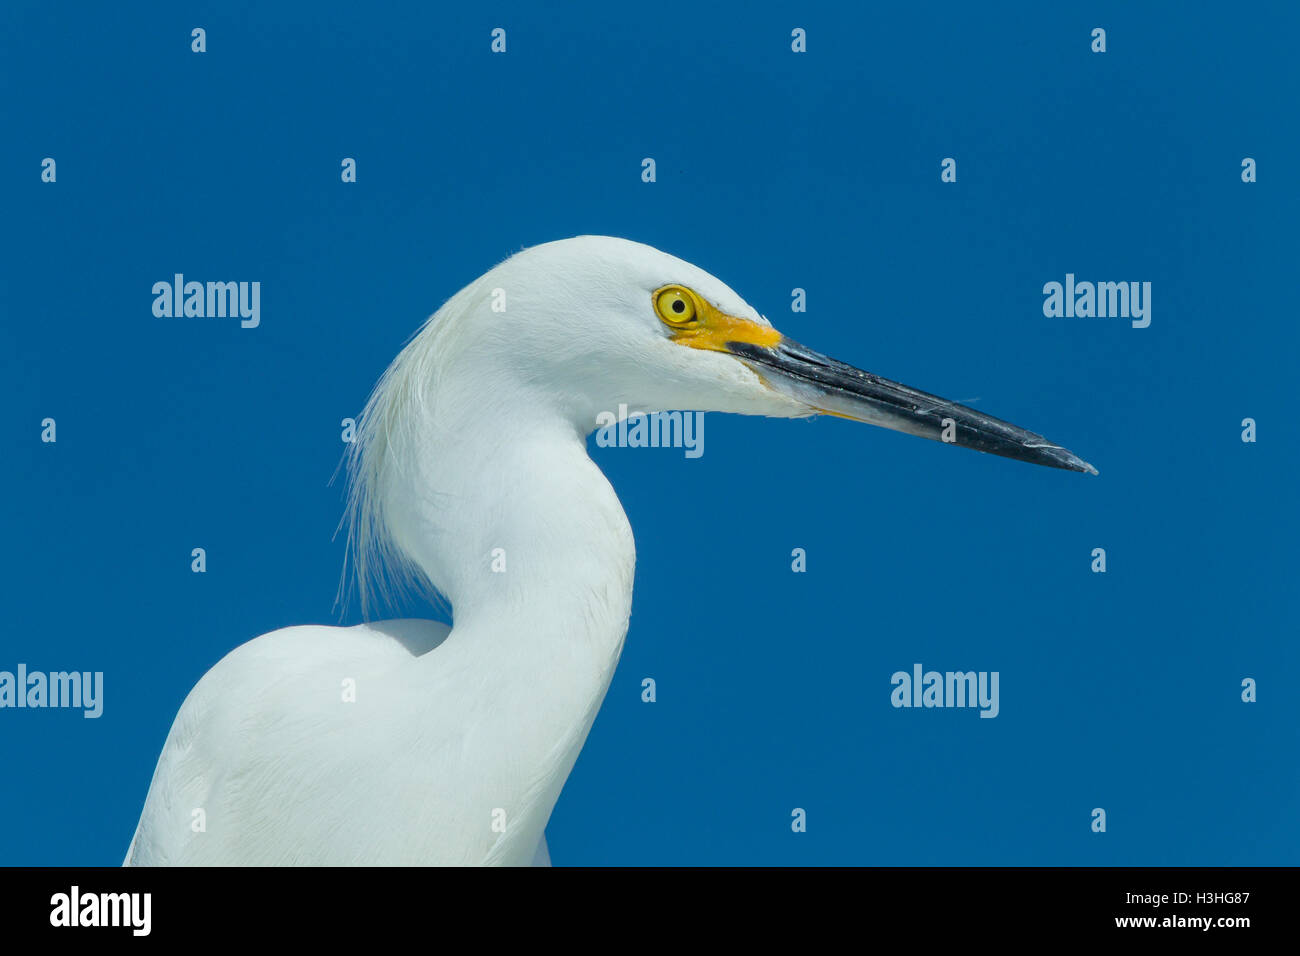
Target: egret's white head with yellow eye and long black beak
(597, 323)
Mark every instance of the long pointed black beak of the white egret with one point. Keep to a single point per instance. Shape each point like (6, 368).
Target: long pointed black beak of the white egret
(835, 388)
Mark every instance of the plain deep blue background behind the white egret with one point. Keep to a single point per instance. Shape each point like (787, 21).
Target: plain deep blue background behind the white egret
(775, 171)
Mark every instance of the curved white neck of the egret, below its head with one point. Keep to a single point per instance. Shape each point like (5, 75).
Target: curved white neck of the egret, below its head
(506, 514)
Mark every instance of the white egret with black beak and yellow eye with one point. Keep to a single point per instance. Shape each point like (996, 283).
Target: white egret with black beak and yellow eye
(456, 745)
